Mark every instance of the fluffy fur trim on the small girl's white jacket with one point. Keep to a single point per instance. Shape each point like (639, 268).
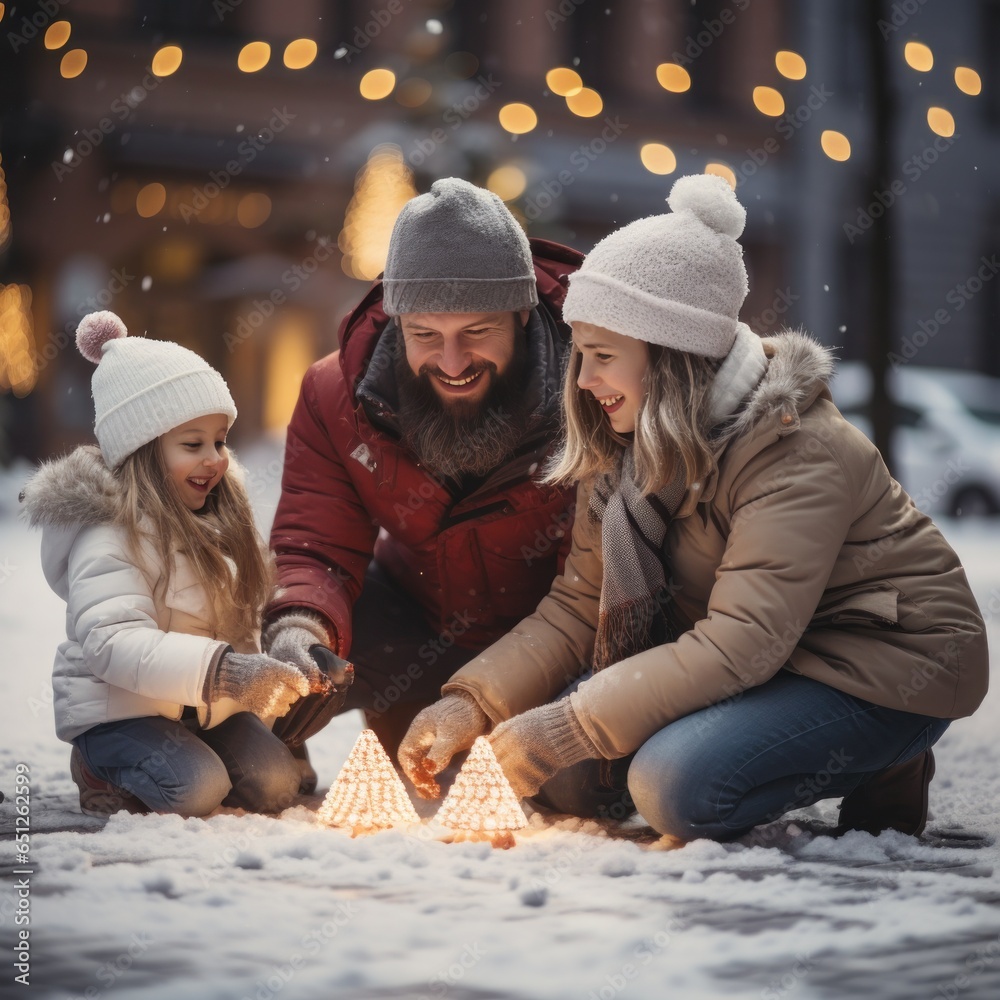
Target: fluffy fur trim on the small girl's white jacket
(76, 489)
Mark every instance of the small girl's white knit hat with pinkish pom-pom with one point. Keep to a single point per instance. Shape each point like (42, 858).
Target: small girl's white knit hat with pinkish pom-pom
(144, 388)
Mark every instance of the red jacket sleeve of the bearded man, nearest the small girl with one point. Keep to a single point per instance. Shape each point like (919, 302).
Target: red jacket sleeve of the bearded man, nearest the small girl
(323, 537)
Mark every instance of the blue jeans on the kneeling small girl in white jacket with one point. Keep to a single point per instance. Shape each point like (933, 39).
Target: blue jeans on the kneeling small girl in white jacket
(178, 767)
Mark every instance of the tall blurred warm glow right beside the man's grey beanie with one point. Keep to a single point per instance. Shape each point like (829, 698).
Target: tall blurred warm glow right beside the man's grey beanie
(383, 186)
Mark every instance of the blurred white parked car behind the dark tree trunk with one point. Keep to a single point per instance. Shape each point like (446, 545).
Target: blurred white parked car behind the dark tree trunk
(946, 441)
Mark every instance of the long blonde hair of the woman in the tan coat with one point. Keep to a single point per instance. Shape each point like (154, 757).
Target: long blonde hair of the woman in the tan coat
(671, 426)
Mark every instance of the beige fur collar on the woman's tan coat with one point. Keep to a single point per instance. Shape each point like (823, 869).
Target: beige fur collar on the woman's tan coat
(797, 362)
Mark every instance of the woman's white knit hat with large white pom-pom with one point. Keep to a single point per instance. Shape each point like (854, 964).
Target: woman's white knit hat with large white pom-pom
(677, 280)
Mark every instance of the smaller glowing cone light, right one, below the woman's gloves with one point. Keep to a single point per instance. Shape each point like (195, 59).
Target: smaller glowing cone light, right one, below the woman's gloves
(481, 805)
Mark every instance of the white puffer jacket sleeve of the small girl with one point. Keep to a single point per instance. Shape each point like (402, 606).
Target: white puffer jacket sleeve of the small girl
(113, 617)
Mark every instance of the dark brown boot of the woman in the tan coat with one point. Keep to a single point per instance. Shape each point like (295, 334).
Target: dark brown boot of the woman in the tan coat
(894, 799)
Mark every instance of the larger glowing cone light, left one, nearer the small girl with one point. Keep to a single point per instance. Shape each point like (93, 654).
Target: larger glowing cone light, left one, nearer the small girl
(367, 795)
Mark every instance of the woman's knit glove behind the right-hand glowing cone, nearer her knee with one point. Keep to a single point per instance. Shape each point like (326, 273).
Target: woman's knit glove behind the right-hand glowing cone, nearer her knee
(532, 746)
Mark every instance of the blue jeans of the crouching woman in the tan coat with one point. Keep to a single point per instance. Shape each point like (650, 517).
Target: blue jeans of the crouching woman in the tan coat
(720, 772)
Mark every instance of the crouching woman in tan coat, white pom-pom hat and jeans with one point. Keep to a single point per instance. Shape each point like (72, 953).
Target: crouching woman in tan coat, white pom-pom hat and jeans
(767, 617)
